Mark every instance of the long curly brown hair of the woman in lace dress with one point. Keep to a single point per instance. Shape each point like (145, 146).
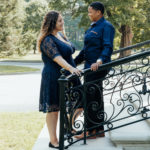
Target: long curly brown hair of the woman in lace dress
(48, 25)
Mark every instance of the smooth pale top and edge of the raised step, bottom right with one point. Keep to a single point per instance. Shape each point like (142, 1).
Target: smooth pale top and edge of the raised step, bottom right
(138, 133)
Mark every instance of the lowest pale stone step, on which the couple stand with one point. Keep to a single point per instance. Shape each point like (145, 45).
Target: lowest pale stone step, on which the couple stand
(92, 144)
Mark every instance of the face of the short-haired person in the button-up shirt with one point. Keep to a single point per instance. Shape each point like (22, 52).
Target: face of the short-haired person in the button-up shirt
(93, 14)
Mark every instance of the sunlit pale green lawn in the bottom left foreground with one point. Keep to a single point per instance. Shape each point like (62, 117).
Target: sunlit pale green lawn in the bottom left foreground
(19, 131)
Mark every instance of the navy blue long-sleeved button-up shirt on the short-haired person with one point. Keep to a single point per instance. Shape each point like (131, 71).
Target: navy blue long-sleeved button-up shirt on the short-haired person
(98, 43)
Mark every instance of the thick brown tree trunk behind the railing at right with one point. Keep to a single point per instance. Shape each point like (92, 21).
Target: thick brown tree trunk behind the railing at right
(126, 39)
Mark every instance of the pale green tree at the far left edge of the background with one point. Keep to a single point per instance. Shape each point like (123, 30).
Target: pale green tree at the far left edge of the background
(9, 23)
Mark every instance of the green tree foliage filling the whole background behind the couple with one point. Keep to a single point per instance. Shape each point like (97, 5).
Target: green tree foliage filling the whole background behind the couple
(20, 21)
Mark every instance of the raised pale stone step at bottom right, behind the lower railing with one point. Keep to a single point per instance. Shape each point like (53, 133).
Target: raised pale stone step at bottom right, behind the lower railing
(135, 136)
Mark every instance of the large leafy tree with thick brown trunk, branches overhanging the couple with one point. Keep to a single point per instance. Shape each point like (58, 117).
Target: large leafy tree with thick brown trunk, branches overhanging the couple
(127, 17)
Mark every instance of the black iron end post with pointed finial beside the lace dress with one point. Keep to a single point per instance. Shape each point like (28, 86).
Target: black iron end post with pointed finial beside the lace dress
(62, 84)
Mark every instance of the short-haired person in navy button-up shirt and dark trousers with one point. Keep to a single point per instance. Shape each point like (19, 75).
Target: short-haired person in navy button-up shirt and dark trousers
(98, 47)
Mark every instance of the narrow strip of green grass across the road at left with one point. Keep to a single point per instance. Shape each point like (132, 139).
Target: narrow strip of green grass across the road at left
(16, 69)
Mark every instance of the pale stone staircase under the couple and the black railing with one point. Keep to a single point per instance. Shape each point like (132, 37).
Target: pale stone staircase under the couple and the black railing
(132, 137)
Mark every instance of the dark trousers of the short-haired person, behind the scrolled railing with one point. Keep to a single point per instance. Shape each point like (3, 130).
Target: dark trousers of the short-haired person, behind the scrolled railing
(94, 97)
